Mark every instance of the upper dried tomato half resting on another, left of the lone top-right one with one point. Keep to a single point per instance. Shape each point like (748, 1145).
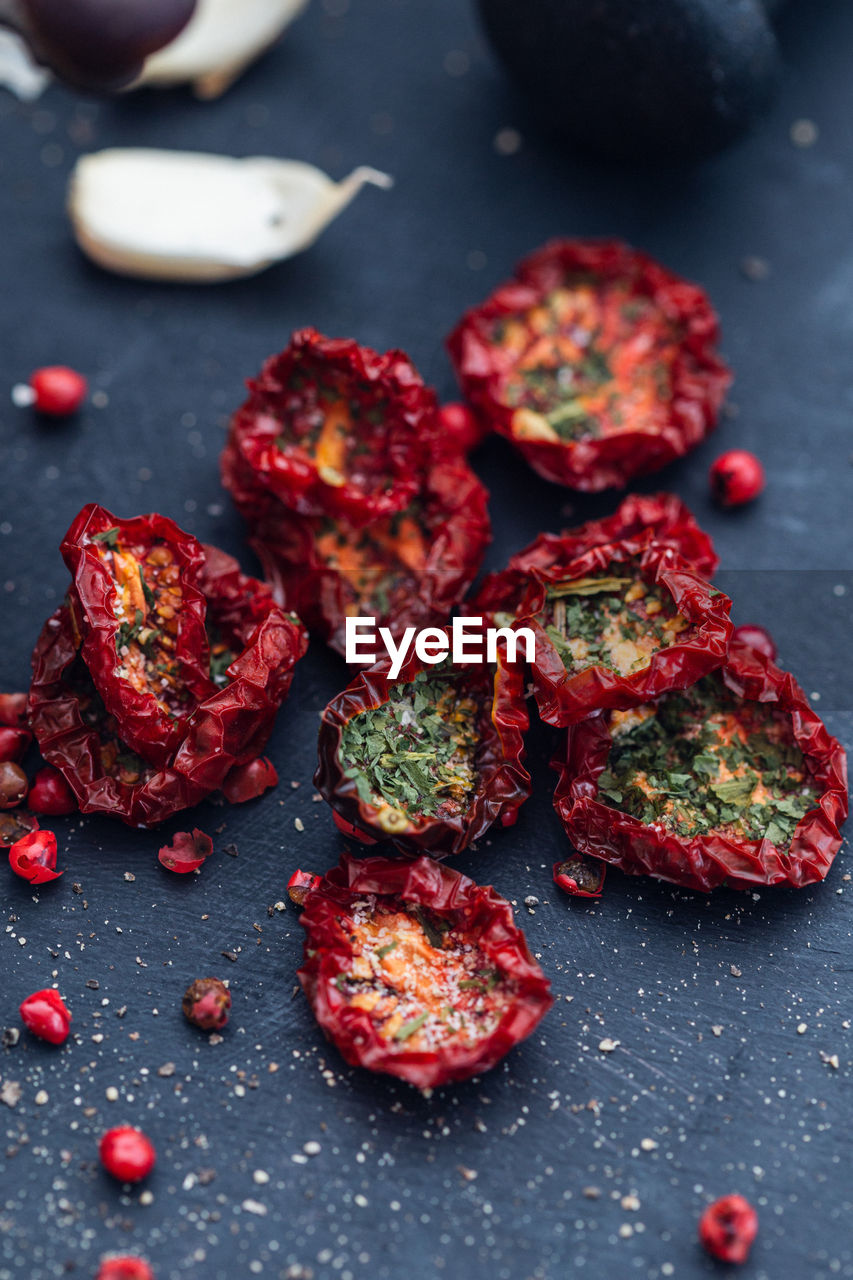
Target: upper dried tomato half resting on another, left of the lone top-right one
(331, 429)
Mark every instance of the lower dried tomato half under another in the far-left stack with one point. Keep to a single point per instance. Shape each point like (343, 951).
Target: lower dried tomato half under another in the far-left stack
(254, 647)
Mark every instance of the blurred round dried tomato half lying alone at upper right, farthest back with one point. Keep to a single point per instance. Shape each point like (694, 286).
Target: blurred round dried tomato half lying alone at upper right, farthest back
(596, 362)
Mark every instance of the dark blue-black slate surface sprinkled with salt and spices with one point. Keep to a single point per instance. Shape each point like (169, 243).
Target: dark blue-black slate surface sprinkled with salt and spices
(724, 1009)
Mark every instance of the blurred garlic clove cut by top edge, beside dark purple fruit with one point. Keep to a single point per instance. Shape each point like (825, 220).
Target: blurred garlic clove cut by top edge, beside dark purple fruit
(220, 43)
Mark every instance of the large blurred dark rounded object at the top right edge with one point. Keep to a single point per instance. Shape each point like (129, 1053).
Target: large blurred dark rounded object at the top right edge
(640, 79)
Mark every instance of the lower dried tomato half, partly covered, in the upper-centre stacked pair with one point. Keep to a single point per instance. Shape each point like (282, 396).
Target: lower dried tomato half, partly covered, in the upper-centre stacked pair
(405, 570)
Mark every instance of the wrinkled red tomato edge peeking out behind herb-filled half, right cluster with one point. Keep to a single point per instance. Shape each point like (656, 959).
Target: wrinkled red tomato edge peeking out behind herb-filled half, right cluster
(660, 516)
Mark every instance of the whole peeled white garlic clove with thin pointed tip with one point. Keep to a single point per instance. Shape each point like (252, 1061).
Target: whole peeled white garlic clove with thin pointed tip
(186, 216)
